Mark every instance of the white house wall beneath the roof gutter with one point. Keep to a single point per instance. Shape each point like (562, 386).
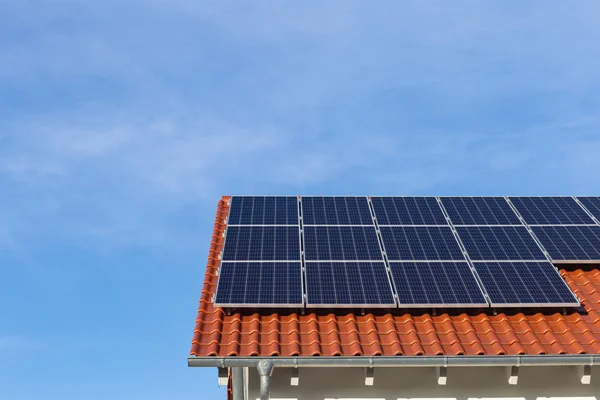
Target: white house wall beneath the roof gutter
(464, 383)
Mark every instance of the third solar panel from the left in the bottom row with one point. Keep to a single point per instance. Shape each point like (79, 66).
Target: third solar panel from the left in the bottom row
(436, 284)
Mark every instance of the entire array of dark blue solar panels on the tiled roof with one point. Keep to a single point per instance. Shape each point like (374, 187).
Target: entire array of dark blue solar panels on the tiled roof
(409, 252)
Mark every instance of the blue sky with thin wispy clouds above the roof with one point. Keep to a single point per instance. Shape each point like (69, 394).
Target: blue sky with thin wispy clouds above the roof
(122, 123)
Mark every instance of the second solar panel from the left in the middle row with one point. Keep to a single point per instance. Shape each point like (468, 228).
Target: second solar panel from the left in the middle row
(343, 243)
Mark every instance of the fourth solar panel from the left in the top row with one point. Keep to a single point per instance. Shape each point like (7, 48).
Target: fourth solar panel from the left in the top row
(480, 211)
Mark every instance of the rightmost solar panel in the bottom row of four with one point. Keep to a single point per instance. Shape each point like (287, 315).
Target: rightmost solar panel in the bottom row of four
(520, 283)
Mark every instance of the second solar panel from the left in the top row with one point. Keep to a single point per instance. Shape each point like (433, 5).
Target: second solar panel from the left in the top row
(336, 211)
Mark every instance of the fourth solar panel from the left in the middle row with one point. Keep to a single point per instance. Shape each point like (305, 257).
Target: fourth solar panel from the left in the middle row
(499, 243)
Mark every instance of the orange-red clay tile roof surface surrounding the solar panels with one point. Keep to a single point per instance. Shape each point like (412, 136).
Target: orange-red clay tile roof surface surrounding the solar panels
(341, 333)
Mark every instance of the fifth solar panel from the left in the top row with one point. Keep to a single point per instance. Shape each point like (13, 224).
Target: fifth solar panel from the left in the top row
(551, 211)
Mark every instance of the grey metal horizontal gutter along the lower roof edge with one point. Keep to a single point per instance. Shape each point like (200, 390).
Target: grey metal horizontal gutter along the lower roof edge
(400, 361)
